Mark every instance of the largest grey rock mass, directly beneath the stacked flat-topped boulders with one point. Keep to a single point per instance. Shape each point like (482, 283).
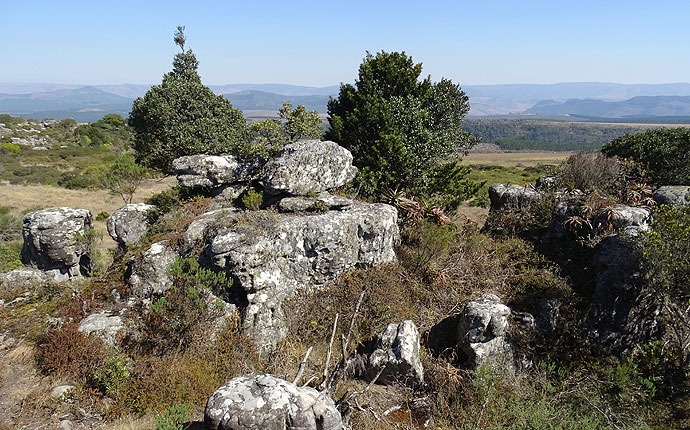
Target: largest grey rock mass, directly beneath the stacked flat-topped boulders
(275, 255)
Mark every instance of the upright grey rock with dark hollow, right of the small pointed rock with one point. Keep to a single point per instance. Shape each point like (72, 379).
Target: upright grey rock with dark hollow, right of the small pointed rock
(484, 334)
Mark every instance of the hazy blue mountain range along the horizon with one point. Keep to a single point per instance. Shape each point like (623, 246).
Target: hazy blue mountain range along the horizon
(586, 99)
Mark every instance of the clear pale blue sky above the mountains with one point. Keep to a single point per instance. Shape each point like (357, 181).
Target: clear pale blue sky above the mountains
(322, 43)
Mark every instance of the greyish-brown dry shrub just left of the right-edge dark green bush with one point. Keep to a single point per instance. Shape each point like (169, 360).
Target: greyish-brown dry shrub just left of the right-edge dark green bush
(590, 171)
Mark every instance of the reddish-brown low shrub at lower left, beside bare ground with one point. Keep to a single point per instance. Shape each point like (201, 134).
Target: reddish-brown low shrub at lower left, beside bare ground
(70, 353)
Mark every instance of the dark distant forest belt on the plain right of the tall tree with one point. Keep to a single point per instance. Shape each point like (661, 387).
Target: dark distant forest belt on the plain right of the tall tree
(548, 135)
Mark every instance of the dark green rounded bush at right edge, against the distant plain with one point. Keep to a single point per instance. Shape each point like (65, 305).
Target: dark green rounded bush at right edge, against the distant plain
(665, 153)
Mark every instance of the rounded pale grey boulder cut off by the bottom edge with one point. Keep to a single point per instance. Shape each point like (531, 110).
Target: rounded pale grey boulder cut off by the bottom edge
(266, 402)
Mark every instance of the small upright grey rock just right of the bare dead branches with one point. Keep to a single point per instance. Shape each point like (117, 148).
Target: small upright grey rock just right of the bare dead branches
(397, 350)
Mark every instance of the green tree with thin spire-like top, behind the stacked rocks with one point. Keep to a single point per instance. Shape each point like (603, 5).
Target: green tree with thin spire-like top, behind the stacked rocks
(182, 117)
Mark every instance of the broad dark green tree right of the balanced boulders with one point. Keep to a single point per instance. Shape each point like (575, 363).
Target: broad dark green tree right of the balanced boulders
(397, 126)
